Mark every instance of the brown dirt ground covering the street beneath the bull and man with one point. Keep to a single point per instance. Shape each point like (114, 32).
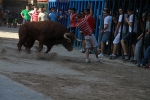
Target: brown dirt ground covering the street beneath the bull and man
(63, 75)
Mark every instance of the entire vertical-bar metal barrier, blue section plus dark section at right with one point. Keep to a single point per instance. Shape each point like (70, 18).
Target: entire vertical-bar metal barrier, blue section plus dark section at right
(97, 7)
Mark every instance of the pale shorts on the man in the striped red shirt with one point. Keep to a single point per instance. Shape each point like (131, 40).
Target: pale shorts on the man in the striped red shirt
(90, 41)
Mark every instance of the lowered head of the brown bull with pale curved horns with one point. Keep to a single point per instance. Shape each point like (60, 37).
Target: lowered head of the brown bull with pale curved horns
(68, 44)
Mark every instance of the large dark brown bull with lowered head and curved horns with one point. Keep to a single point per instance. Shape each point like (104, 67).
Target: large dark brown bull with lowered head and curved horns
(48, 33)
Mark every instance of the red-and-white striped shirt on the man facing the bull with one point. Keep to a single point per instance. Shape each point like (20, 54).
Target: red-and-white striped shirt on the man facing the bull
(83, 25)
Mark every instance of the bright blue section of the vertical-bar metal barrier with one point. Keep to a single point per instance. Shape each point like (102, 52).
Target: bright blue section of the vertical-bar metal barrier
(80, 5)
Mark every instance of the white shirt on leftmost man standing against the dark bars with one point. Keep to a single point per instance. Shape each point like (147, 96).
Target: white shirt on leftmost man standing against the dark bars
(108, 20)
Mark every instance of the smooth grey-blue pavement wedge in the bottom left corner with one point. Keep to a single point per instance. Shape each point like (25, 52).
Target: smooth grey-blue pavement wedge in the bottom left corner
(11, 90)
